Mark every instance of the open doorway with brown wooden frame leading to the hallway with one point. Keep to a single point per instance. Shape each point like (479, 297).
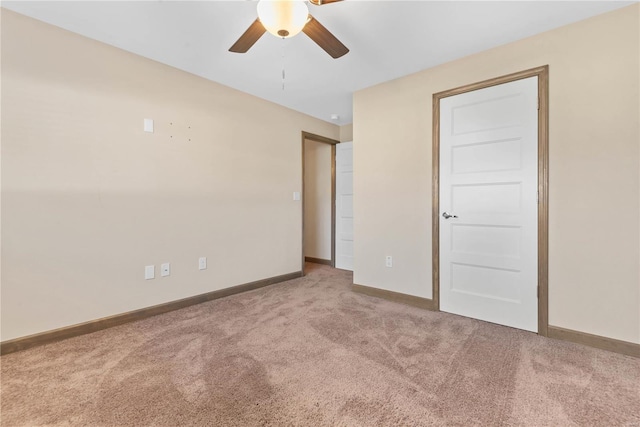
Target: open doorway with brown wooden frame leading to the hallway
(318, 199)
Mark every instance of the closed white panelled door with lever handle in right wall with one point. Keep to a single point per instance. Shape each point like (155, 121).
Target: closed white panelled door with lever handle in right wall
(488, 204)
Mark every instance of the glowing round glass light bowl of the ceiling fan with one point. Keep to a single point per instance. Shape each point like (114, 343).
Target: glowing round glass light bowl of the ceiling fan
(283, 18)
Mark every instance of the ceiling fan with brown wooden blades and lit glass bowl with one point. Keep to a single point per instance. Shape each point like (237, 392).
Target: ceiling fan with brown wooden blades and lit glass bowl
(286, 18)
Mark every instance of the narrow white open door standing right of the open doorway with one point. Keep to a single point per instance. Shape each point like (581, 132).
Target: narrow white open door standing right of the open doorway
(344, 206)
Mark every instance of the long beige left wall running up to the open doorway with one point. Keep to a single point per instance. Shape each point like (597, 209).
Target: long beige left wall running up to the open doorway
(89, 199)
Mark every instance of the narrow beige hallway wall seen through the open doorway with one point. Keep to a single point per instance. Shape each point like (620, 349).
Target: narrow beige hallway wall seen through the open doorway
(317, 200)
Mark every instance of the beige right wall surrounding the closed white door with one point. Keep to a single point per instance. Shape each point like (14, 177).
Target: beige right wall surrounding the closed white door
(594, 213)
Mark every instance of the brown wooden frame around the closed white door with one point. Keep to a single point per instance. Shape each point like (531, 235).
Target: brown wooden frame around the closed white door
(543, 184)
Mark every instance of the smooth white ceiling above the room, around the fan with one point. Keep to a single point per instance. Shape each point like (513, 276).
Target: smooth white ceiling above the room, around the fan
(387, 39)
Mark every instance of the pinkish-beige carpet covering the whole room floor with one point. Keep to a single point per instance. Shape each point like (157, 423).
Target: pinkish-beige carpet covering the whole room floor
(309, 352)
